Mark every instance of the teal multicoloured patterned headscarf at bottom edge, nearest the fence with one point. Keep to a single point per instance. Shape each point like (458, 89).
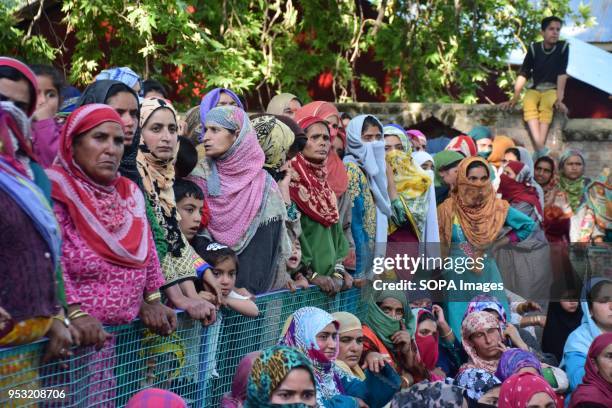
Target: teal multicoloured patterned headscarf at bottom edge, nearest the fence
(269, 371)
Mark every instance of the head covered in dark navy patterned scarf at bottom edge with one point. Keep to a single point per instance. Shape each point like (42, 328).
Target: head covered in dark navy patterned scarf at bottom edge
(430, 395)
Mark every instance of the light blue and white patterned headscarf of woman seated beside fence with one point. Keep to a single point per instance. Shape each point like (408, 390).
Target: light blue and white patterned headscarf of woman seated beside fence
(301, 334)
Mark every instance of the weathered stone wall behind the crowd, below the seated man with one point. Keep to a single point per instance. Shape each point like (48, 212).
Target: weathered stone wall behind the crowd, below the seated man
(593, 136)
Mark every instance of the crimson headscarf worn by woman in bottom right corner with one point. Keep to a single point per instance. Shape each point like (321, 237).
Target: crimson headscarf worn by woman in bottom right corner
(594, 388)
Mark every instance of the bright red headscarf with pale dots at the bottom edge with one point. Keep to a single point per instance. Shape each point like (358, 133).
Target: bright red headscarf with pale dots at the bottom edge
(518, 389)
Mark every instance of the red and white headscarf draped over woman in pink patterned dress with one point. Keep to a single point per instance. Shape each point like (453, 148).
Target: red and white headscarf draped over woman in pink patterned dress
(111, 219)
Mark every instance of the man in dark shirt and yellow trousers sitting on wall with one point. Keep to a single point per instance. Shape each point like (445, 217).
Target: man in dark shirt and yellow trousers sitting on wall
(545, 65)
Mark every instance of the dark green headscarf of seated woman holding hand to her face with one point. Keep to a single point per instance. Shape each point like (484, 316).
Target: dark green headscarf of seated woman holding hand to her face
(383, 325)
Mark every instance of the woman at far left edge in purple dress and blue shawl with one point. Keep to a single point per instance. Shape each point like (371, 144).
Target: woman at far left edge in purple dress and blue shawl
(31, 284)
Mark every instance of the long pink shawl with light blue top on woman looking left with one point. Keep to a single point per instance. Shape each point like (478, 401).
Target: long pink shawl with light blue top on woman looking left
(236, 186)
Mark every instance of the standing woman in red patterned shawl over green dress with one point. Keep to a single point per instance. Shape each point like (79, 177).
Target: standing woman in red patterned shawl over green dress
(324, 246)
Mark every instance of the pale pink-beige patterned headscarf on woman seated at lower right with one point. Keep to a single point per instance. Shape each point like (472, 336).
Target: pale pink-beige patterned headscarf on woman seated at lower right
(473, 323)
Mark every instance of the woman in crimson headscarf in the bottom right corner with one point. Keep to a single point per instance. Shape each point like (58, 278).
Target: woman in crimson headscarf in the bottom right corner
(596, 388)
